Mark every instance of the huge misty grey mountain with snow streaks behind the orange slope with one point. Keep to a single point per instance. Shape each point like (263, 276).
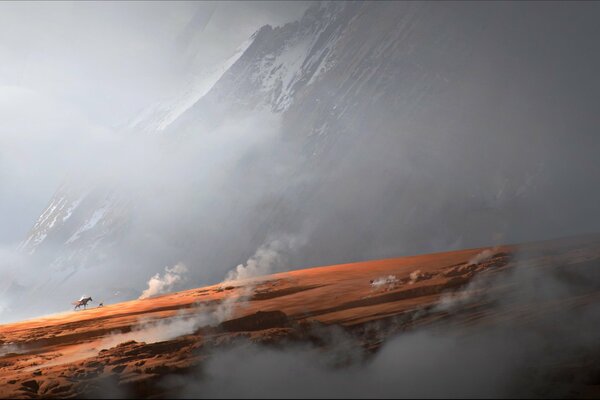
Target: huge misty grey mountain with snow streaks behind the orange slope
(366, 130)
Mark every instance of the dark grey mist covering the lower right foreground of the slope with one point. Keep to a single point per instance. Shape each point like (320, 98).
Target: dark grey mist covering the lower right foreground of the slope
(509, 352)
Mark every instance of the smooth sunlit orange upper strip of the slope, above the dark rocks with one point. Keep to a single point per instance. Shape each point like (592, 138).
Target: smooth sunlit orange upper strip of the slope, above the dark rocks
(320, 293)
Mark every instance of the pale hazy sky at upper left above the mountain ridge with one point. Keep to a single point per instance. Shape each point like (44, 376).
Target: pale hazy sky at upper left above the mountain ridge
(73, 71)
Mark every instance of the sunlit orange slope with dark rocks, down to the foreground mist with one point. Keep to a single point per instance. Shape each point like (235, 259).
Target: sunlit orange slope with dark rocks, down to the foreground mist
(134, 342)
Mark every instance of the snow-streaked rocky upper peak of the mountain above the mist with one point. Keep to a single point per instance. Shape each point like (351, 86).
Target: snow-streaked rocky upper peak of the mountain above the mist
(281, 60)
